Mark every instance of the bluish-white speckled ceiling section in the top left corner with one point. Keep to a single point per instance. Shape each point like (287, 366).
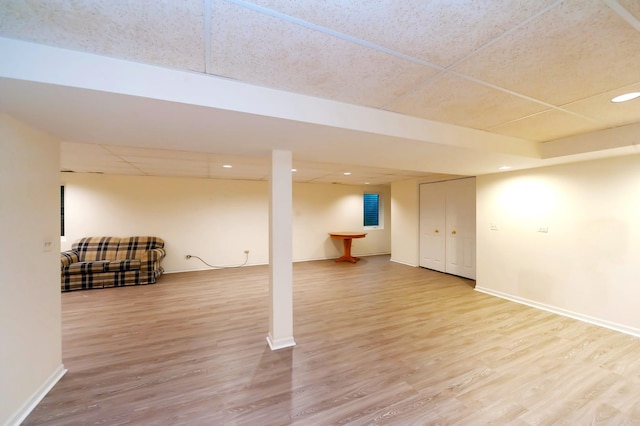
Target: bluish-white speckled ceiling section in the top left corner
(166, 33)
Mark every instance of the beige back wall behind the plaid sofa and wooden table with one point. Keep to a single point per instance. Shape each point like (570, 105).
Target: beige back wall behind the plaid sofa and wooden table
(217, 219)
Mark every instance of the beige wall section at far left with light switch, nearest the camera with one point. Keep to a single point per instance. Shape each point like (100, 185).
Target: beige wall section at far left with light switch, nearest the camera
(30, 319)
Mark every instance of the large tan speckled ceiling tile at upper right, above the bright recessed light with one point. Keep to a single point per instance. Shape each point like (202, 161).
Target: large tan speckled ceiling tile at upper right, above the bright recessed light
(565, 55)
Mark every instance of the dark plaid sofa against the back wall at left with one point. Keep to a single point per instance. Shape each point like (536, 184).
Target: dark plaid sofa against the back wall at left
(99, 262)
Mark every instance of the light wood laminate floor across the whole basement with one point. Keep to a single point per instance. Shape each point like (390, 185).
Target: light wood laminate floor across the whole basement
(377, 343)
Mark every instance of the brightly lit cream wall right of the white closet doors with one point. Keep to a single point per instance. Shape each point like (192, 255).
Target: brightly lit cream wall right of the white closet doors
(587, 265)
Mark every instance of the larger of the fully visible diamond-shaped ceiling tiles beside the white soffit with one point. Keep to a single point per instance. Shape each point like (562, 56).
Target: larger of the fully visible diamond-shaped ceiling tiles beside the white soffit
(451, 99)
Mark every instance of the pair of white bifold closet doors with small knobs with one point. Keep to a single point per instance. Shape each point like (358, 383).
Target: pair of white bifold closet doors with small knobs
(448, 227)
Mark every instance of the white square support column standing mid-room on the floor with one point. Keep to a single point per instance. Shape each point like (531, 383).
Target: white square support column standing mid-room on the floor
(280, 252)
